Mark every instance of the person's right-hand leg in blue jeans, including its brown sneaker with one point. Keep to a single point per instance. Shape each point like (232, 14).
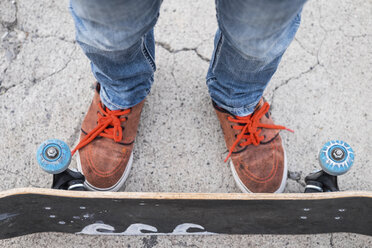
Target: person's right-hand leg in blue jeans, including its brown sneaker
(250, 41)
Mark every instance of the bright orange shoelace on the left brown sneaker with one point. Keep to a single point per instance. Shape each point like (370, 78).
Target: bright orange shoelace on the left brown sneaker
(109, 118)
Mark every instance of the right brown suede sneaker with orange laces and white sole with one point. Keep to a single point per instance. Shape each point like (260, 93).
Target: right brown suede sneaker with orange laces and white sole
(258, 161)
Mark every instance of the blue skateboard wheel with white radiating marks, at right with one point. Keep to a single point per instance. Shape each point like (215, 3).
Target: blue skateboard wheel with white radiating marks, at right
(336, 157)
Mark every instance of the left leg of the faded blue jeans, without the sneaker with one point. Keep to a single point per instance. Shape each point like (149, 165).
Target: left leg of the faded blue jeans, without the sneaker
(117, 37)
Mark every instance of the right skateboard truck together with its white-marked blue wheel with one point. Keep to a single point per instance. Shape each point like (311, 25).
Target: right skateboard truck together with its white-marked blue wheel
(336, 158)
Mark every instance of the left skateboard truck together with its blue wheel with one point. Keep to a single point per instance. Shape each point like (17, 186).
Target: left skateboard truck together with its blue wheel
(54, 157)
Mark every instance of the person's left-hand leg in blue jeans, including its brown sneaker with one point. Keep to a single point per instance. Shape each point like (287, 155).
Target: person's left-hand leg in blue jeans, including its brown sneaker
(117, 37)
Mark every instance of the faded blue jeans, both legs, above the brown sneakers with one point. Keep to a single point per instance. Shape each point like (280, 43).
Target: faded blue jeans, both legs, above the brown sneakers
(117, 36)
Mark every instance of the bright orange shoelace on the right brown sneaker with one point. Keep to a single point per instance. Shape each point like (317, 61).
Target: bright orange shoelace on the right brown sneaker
(252, 128)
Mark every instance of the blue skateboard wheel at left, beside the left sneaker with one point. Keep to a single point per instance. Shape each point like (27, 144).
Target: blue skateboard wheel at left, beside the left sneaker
(53, 156)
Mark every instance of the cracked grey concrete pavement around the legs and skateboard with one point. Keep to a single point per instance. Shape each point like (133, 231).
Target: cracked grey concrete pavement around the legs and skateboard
(322, 90)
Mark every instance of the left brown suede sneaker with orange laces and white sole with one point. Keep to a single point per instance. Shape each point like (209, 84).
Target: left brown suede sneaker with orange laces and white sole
(106, 144)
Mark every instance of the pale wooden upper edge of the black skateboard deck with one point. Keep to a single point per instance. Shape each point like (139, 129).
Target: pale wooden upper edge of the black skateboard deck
(186, 196)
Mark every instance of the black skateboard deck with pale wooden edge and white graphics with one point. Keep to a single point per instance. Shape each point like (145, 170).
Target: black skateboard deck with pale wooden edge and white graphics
(33, 210)
